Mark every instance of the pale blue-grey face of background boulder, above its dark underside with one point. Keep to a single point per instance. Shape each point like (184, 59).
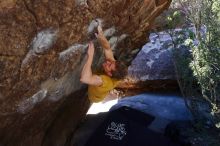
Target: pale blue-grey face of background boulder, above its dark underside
(154, 61)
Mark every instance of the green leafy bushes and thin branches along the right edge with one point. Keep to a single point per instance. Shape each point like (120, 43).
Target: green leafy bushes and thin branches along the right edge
(203, 63)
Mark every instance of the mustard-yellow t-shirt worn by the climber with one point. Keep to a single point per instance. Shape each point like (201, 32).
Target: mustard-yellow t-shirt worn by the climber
(98, 93)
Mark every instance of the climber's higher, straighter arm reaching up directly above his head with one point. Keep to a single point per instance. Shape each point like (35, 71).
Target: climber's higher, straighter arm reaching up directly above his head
(105, 44)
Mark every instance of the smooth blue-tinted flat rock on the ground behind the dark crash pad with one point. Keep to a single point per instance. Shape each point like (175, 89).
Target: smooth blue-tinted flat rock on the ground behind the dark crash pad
(162, 105)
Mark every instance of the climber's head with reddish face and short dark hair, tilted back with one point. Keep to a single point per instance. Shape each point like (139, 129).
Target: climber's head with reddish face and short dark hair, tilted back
(115, 69)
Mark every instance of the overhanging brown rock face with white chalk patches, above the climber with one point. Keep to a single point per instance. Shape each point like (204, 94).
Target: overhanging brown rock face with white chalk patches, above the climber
(42, 51)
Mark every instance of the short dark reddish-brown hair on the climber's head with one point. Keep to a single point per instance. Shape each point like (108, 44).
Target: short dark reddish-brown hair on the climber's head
(120, 71)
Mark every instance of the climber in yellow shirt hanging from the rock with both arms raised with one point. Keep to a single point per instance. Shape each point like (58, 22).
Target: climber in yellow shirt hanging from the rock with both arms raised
(113, 71)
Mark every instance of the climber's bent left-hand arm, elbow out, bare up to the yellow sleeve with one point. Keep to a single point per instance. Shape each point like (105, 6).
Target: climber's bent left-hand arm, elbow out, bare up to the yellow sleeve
(87, 76)
